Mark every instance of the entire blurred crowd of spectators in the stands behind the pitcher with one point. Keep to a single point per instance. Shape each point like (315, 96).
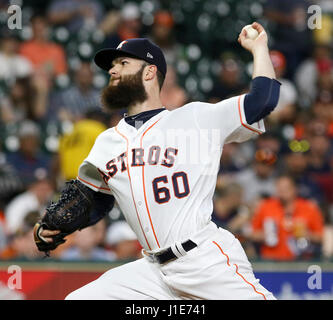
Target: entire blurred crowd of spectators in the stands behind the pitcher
(275, 193)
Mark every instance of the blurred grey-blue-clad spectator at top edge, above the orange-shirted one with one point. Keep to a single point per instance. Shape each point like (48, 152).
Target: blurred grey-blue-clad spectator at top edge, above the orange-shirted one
(75, 14)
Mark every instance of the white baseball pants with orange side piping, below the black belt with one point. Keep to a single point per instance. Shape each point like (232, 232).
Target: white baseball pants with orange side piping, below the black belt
(217, 269)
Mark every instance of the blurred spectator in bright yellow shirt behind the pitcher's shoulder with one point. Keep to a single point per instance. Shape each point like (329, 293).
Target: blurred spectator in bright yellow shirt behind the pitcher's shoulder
(75, 146)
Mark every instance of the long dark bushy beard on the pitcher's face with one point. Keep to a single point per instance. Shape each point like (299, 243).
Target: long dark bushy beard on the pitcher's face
(128, 92)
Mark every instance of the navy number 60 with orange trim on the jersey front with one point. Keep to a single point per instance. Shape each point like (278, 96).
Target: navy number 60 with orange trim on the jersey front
(162, 193)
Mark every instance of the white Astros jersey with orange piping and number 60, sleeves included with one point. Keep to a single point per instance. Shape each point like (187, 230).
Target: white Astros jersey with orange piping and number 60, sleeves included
(163, 174)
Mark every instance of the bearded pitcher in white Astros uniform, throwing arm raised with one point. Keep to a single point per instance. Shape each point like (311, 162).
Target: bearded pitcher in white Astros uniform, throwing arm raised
(161, 168)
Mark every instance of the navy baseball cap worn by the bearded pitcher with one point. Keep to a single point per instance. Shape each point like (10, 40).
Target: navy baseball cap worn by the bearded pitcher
(140, 48)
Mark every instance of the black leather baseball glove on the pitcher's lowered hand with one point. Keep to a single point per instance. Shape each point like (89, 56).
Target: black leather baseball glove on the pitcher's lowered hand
(70, 213)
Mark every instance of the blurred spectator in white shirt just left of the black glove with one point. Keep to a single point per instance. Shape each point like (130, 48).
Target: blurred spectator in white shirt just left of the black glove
(36, 198)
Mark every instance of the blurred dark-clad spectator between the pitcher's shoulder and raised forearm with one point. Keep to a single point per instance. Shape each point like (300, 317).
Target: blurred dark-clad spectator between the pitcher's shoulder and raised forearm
(229, 83)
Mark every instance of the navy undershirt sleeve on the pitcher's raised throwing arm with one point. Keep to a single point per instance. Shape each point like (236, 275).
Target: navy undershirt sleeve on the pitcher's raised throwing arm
(262, 98)
